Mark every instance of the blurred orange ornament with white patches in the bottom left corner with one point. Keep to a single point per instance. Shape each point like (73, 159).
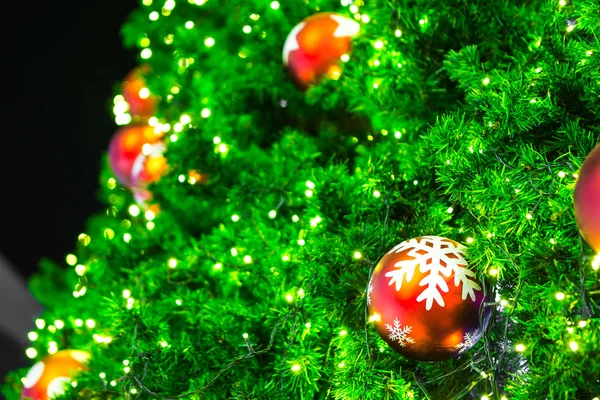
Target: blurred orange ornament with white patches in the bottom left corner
(47, 378)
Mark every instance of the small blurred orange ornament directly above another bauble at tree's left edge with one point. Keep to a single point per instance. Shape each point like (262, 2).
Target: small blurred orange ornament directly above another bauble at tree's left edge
(141, 102)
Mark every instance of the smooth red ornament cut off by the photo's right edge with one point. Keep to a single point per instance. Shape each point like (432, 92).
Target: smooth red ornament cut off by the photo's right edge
(587, 199)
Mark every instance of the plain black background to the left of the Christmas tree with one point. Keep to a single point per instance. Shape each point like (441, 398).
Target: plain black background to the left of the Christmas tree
(64, 59)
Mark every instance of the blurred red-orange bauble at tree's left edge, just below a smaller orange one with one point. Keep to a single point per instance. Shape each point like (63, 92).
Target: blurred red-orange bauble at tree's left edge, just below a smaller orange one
(135, 155)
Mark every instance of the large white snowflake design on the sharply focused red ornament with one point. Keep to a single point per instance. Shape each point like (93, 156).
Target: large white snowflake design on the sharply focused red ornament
(438, 256)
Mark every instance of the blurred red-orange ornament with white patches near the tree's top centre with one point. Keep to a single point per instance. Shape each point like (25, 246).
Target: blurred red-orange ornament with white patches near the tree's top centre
(314, 47)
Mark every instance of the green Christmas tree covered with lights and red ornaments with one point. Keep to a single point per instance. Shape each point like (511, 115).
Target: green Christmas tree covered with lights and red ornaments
(241, 259)
